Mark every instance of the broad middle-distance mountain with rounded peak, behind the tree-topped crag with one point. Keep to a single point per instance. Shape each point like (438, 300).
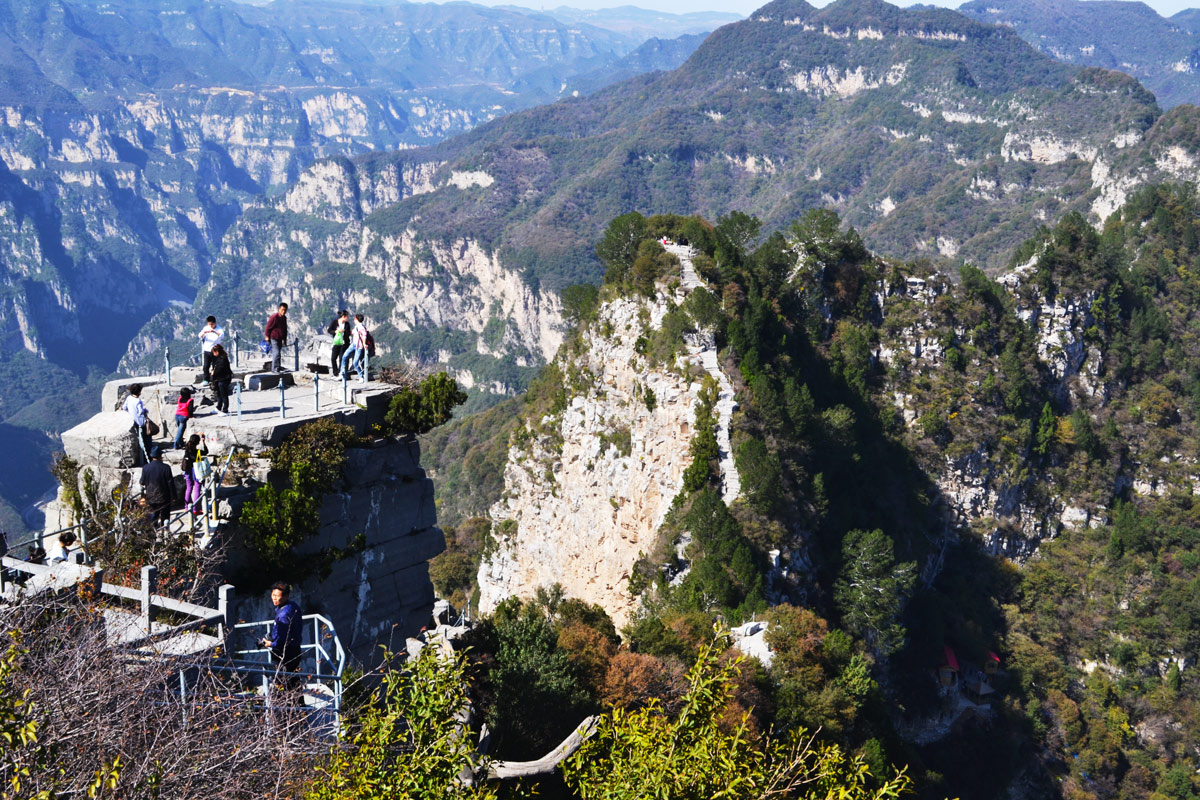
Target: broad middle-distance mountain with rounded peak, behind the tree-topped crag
(937, 137)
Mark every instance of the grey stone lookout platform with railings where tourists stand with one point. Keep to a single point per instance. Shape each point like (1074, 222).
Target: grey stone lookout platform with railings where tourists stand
(370, 555)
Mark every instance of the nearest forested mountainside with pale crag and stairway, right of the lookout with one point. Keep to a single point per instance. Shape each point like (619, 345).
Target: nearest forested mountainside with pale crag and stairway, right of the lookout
(1000, 467)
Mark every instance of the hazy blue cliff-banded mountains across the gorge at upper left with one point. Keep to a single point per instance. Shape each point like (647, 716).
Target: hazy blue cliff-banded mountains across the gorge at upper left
(133, 135)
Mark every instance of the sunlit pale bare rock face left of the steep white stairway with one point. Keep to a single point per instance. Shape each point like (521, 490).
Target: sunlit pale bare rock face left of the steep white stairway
(589, 488)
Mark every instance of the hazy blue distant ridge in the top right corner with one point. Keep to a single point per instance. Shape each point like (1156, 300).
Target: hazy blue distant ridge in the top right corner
(1132, 38)
